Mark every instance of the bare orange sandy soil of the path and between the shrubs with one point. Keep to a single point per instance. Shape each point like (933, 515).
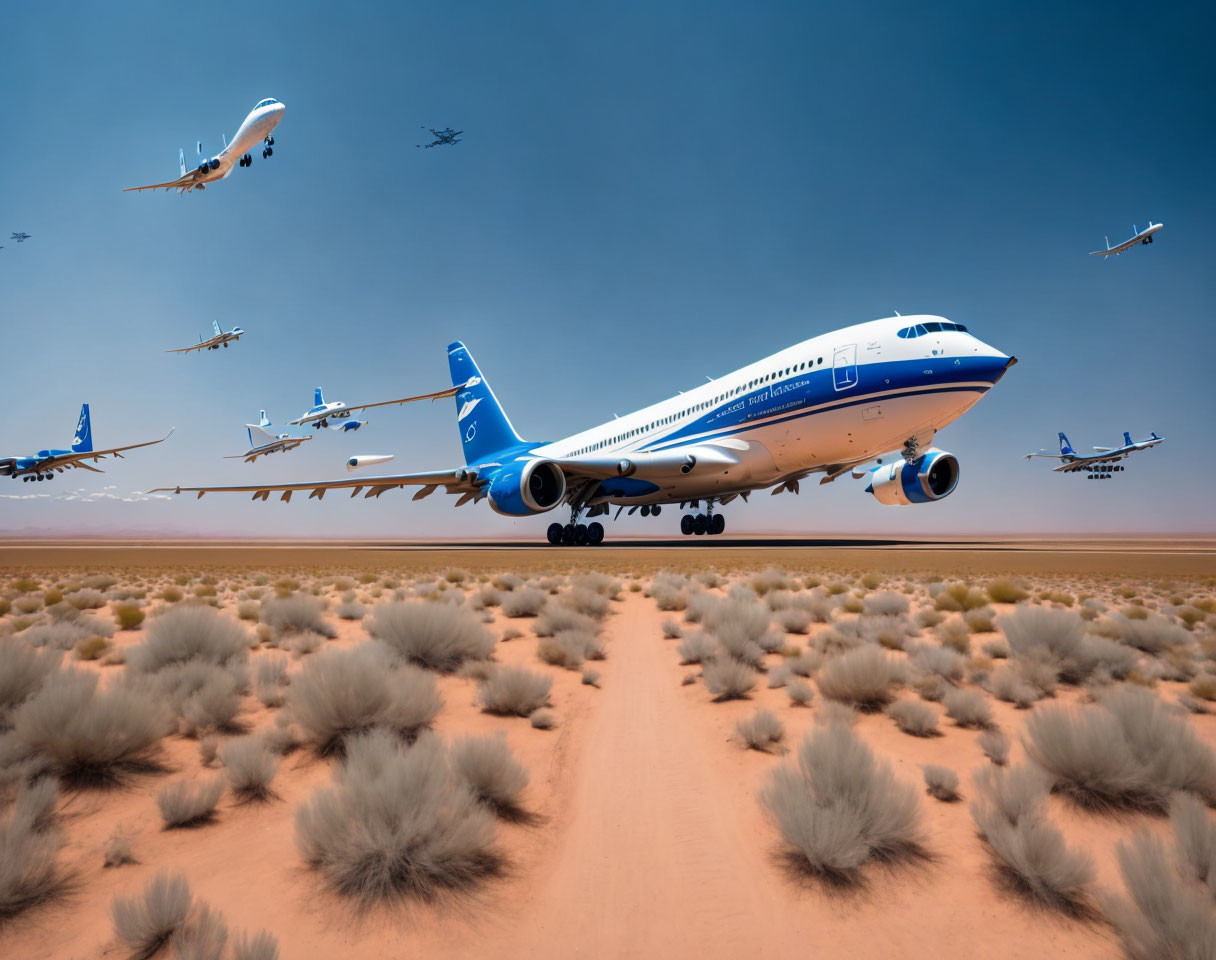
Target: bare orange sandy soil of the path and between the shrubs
(649, 840)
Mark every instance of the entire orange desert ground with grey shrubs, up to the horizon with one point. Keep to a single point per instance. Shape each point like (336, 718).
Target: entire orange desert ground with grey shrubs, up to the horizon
(442, 751)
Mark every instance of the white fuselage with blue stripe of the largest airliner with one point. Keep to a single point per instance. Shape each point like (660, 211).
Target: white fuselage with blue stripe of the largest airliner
(840, 398)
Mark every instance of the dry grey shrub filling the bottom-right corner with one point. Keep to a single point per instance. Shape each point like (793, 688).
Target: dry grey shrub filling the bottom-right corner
(1164, 914)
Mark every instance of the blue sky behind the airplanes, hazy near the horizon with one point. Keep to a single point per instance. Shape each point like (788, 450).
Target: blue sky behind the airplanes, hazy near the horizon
(648, 194)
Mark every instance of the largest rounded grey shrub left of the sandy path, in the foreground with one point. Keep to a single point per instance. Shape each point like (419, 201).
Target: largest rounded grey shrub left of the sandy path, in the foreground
(398, 822)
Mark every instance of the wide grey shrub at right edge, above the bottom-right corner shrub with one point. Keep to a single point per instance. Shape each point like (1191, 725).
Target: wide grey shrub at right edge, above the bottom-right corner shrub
(1130, 750)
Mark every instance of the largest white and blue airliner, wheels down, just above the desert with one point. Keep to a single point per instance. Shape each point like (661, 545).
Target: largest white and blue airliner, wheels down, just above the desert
(826, 406)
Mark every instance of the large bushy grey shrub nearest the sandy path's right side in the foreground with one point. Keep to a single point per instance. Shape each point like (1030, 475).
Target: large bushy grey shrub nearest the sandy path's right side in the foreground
(840, 807)
